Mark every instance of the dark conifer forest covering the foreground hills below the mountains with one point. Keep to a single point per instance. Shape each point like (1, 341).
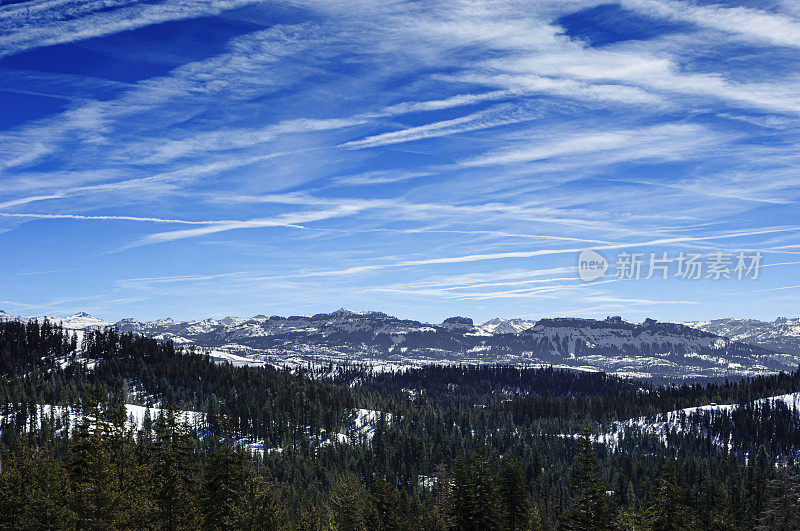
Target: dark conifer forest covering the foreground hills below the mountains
(509, 448)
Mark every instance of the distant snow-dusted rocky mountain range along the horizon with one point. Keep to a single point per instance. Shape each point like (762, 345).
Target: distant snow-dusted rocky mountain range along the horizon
(649, 349)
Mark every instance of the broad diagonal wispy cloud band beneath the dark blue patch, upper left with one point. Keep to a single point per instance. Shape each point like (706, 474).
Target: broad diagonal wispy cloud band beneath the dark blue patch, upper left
(236, 73)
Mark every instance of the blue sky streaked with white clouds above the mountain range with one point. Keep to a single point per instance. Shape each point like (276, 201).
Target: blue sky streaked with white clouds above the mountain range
(232, 157)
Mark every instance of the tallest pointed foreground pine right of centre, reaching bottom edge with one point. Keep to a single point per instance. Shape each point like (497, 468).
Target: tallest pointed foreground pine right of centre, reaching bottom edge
(590, 505)
